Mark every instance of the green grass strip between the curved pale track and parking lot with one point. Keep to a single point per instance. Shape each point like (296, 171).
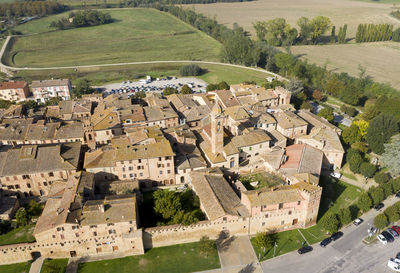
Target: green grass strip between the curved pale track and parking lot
(101, 75)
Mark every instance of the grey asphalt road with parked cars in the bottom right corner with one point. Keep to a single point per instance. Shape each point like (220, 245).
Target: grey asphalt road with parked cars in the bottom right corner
(348, 254)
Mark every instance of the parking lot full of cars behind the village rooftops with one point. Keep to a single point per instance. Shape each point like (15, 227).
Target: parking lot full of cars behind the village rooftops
(154, 85)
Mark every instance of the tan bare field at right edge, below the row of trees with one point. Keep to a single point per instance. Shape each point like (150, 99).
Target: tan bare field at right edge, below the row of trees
(382, 60)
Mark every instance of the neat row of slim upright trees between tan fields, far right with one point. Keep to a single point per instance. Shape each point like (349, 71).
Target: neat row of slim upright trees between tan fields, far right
(374, 33)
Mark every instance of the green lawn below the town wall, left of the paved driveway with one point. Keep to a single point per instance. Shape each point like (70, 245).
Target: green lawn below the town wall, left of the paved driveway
(171, 259)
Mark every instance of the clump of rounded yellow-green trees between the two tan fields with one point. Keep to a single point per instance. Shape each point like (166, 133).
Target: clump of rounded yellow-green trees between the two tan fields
(278, 32)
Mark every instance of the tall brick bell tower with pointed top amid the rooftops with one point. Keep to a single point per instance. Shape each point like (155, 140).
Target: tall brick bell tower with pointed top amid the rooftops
(217, 129)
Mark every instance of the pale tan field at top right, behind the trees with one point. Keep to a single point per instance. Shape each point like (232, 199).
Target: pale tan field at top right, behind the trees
(340, 12)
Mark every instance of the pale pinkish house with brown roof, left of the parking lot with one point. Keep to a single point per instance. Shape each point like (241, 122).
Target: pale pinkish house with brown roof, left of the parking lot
(46, 89)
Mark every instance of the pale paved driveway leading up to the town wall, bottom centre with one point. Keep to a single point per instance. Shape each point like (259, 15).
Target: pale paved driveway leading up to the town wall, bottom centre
(236, 254)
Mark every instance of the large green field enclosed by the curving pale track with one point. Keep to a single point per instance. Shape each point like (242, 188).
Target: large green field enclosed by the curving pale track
(136, 35)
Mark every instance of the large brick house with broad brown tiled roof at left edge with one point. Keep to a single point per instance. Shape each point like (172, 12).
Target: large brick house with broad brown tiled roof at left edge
(31, 169)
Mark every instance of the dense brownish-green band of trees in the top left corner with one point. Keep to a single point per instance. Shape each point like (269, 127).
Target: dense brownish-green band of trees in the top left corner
(39, 8)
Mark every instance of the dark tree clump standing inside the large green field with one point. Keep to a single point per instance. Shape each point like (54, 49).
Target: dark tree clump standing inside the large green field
(82, 19)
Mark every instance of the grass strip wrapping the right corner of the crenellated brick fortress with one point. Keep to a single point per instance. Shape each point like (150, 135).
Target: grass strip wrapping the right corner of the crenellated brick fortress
(335, 195)
